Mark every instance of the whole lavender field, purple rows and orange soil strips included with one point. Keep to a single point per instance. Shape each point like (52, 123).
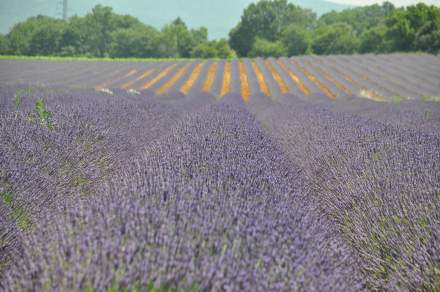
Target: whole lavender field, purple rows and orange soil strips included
(301, 174)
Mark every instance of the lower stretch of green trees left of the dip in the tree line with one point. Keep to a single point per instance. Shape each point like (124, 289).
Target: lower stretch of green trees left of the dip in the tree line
(103, 33)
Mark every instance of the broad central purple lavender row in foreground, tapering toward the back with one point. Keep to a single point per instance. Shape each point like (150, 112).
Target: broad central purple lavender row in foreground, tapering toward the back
(214, 205)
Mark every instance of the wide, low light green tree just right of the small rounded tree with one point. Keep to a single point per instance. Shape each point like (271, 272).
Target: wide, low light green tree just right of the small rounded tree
(335, 39)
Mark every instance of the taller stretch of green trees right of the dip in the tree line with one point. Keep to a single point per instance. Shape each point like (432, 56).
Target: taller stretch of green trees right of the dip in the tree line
(369, 29)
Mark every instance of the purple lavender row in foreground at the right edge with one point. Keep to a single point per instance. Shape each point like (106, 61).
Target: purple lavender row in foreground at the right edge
(378, 181)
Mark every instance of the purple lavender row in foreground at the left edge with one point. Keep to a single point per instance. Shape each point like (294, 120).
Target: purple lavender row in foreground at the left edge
(91, 137)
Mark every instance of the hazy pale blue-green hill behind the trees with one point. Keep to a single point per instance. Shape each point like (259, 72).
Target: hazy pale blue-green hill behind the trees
(219, 16)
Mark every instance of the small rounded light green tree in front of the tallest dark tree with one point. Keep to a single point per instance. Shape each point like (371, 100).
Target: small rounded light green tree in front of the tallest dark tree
(296, 40)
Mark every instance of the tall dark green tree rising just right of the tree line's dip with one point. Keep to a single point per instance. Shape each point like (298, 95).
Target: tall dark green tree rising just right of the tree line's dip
(267, 20)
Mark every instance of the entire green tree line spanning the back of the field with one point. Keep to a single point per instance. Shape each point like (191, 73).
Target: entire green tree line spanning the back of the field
(266, 28)
